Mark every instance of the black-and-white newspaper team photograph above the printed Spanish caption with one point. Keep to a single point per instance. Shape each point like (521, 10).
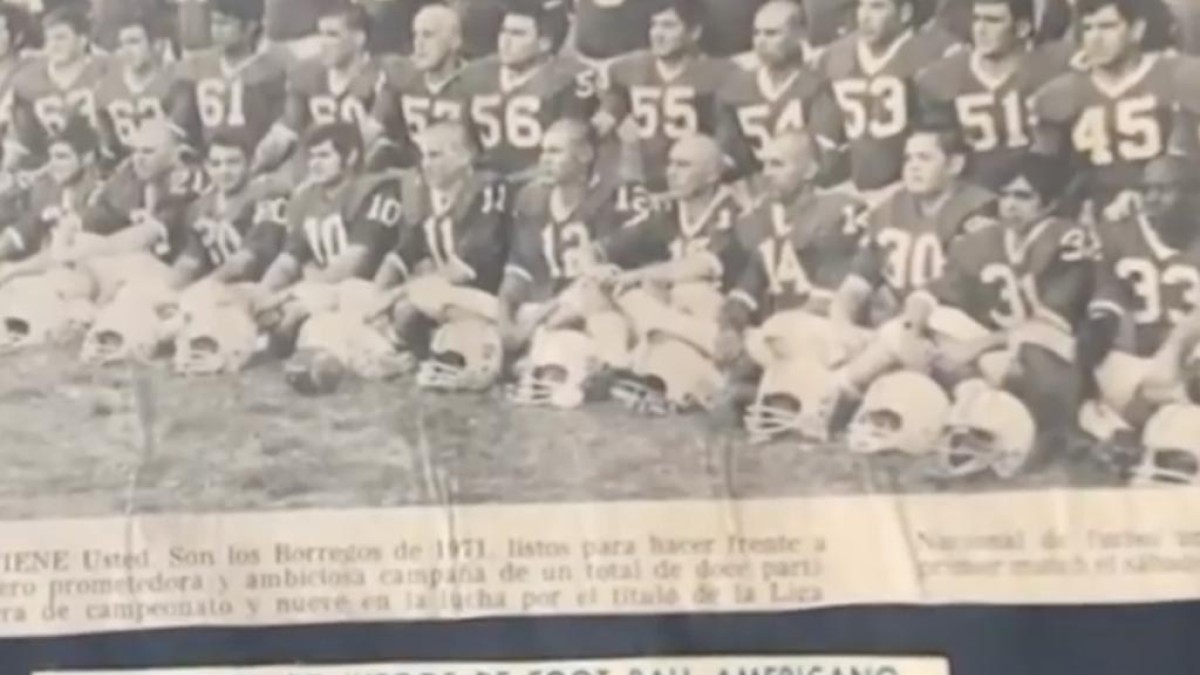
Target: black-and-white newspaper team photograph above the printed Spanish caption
(265, 255)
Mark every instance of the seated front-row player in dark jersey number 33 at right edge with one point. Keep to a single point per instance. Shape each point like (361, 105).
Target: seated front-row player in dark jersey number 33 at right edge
(1148, 282)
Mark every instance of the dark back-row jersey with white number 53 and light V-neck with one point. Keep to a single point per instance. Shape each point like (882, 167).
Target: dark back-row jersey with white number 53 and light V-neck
(878, 99)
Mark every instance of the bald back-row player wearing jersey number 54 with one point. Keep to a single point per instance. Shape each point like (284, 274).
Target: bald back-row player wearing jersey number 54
(783, 94)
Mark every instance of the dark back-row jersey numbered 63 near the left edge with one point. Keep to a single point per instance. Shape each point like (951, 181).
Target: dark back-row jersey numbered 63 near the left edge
(44, 101)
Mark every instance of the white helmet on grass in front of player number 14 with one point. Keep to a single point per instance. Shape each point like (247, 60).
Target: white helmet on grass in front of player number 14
(795, 398)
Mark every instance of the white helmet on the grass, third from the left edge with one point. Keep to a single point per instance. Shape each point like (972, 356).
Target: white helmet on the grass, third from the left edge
(218, 339)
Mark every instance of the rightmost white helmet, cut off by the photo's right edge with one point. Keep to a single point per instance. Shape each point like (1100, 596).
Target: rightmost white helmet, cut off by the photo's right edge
(1172, 444)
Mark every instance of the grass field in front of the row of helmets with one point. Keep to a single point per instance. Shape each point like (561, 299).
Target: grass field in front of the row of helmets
(75, 445)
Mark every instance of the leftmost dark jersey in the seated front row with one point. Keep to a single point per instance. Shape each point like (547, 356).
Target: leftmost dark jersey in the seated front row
(53, 214)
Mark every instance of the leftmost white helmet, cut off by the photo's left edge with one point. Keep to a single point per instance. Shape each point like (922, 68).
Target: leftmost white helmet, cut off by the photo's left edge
(45, 309)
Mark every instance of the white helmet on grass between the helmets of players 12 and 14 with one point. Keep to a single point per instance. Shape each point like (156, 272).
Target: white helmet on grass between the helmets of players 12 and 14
(669, 378)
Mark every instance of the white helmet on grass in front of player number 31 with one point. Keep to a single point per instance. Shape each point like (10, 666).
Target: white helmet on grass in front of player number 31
(988, 432)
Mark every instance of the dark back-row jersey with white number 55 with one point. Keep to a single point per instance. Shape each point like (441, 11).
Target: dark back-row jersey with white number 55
(665, 106)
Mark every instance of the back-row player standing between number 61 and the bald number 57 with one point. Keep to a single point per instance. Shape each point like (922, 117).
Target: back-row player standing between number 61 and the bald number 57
(340, 85)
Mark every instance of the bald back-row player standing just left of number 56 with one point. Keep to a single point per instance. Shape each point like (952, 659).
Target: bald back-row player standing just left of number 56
(424, 88)
